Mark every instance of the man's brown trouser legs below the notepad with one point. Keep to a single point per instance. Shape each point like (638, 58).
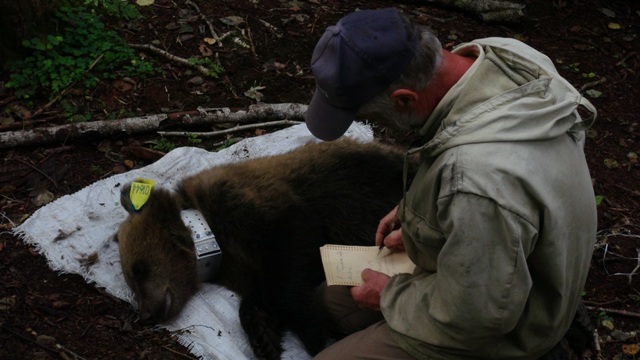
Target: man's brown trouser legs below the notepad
(363, 333)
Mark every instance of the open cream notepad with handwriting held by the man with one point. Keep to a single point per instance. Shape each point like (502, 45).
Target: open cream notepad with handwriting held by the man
(343, 264)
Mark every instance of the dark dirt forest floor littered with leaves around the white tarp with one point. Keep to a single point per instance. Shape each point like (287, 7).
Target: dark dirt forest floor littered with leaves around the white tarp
(44, 315)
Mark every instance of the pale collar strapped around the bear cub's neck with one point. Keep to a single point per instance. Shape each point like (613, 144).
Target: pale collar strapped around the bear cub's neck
(207, 249)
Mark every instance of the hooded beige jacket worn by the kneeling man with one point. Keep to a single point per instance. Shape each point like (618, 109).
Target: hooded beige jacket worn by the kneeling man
(501, 217)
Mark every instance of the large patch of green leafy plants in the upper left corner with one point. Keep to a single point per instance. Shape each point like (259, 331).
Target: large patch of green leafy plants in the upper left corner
(81, 54)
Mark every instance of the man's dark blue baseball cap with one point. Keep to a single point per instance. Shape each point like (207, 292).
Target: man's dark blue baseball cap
(354, 61)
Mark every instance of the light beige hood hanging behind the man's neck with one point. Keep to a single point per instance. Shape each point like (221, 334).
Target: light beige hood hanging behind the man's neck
(527, 100)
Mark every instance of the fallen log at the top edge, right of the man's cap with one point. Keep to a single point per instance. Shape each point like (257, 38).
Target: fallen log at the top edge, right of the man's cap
(491, 11)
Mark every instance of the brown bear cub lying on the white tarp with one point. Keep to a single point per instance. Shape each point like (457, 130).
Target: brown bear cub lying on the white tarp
(269, 216)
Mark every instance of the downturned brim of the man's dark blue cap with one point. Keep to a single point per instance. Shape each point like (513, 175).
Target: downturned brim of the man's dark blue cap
(327, 122)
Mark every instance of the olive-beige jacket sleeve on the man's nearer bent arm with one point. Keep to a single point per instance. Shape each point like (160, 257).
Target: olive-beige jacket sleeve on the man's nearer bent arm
(481, 283)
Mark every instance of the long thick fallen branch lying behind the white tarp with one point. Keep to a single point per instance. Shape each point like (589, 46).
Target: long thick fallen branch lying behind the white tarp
(135, 125)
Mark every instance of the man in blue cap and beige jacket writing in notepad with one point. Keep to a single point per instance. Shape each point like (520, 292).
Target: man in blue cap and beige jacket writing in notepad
(500, 219)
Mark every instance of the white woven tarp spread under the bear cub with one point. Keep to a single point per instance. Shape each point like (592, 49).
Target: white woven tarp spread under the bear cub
(74, 227)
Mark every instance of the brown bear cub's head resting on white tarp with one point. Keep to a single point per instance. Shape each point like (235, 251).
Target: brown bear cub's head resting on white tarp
(157, 255)
